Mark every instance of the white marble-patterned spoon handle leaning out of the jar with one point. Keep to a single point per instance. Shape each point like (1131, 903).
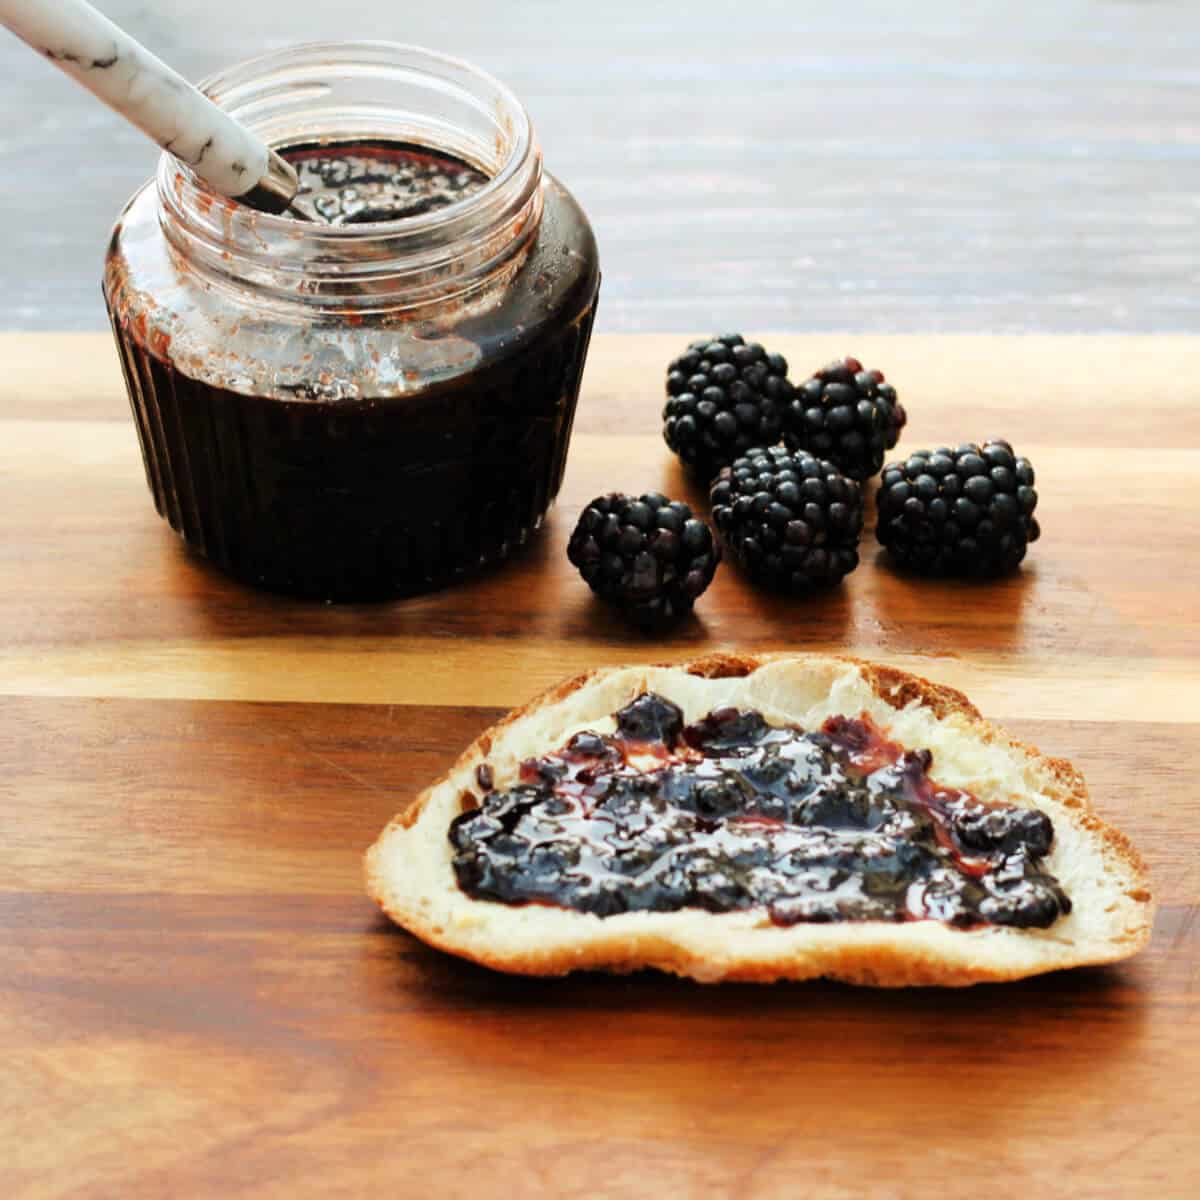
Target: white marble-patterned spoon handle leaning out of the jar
(129, 79)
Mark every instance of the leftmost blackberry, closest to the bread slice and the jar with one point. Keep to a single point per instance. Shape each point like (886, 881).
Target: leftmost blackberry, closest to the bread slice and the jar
(646, 555)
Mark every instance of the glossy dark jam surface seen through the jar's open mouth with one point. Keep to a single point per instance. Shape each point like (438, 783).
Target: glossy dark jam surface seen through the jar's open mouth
(352, 183)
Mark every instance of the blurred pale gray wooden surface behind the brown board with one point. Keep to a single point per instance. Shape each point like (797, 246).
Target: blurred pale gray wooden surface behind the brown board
(934, 165)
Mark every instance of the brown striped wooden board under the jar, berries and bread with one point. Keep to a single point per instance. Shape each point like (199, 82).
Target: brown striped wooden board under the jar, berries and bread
(199, 1000)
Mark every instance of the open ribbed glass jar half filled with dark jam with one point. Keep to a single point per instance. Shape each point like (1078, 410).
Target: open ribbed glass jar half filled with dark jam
(377, 400)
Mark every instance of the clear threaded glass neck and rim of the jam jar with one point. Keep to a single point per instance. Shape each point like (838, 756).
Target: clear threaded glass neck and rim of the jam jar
(349, 91)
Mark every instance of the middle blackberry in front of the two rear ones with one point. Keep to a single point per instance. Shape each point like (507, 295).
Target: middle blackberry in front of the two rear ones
(793, 521)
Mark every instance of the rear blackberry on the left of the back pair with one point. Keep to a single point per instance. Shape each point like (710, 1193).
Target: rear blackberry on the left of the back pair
(724, 397)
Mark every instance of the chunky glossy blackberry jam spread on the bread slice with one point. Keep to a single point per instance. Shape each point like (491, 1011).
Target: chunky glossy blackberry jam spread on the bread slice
(733, 814)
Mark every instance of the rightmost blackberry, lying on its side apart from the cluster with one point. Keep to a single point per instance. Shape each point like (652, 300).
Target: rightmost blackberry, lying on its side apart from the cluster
(967, 512)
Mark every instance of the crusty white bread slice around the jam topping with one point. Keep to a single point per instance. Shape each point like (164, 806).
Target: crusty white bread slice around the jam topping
(410, 868)
